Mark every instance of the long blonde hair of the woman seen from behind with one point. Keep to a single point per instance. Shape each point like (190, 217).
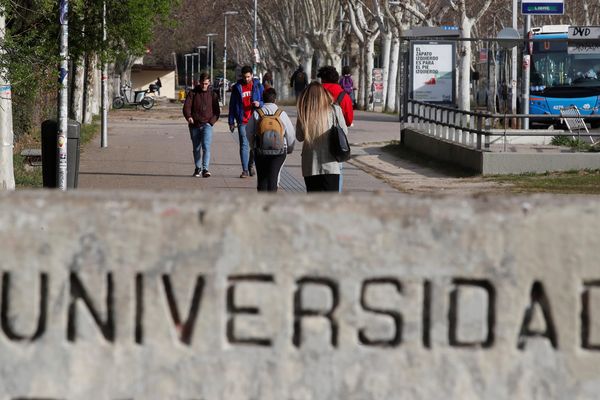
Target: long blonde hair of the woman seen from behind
(314, 106)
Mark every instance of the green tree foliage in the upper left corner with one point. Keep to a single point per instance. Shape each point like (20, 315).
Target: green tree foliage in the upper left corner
(32, 46)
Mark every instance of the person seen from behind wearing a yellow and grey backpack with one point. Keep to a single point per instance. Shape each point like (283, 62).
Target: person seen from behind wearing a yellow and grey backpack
(272, 135)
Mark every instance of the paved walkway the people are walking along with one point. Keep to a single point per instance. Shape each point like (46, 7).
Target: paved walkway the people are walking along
(152, 150)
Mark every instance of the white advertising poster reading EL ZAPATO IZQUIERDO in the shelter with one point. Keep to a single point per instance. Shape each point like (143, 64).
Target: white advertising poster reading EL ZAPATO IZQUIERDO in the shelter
(433, 72)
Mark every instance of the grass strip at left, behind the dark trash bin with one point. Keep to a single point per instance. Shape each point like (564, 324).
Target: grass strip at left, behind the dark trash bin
(28, 177)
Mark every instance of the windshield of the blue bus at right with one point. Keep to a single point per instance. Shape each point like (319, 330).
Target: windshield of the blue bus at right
(552, 67)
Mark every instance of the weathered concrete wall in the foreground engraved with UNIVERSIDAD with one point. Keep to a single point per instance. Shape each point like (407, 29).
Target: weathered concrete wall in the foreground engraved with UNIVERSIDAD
(399, 286)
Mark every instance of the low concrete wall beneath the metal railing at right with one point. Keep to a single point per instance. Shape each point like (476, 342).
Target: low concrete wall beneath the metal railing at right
(537, 159)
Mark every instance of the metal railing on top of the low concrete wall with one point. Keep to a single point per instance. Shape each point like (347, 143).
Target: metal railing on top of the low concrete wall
(473, 128)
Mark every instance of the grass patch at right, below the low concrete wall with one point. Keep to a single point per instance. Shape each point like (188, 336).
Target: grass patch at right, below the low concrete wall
(572, 182)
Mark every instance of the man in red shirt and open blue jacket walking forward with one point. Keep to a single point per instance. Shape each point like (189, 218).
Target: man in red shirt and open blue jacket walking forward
(246, 95)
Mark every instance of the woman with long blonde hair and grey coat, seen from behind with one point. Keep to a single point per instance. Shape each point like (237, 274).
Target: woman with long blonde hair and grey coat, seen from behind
(316, 115)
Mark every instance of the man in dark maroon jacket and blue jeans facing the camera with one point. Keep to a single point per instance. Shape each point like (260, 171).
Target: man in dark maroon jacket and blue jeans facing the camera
(201, 110)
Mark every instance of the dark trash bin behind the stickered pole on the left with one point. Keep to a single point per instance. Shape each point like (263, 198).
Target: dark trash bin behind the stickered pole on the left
(49, 150)
